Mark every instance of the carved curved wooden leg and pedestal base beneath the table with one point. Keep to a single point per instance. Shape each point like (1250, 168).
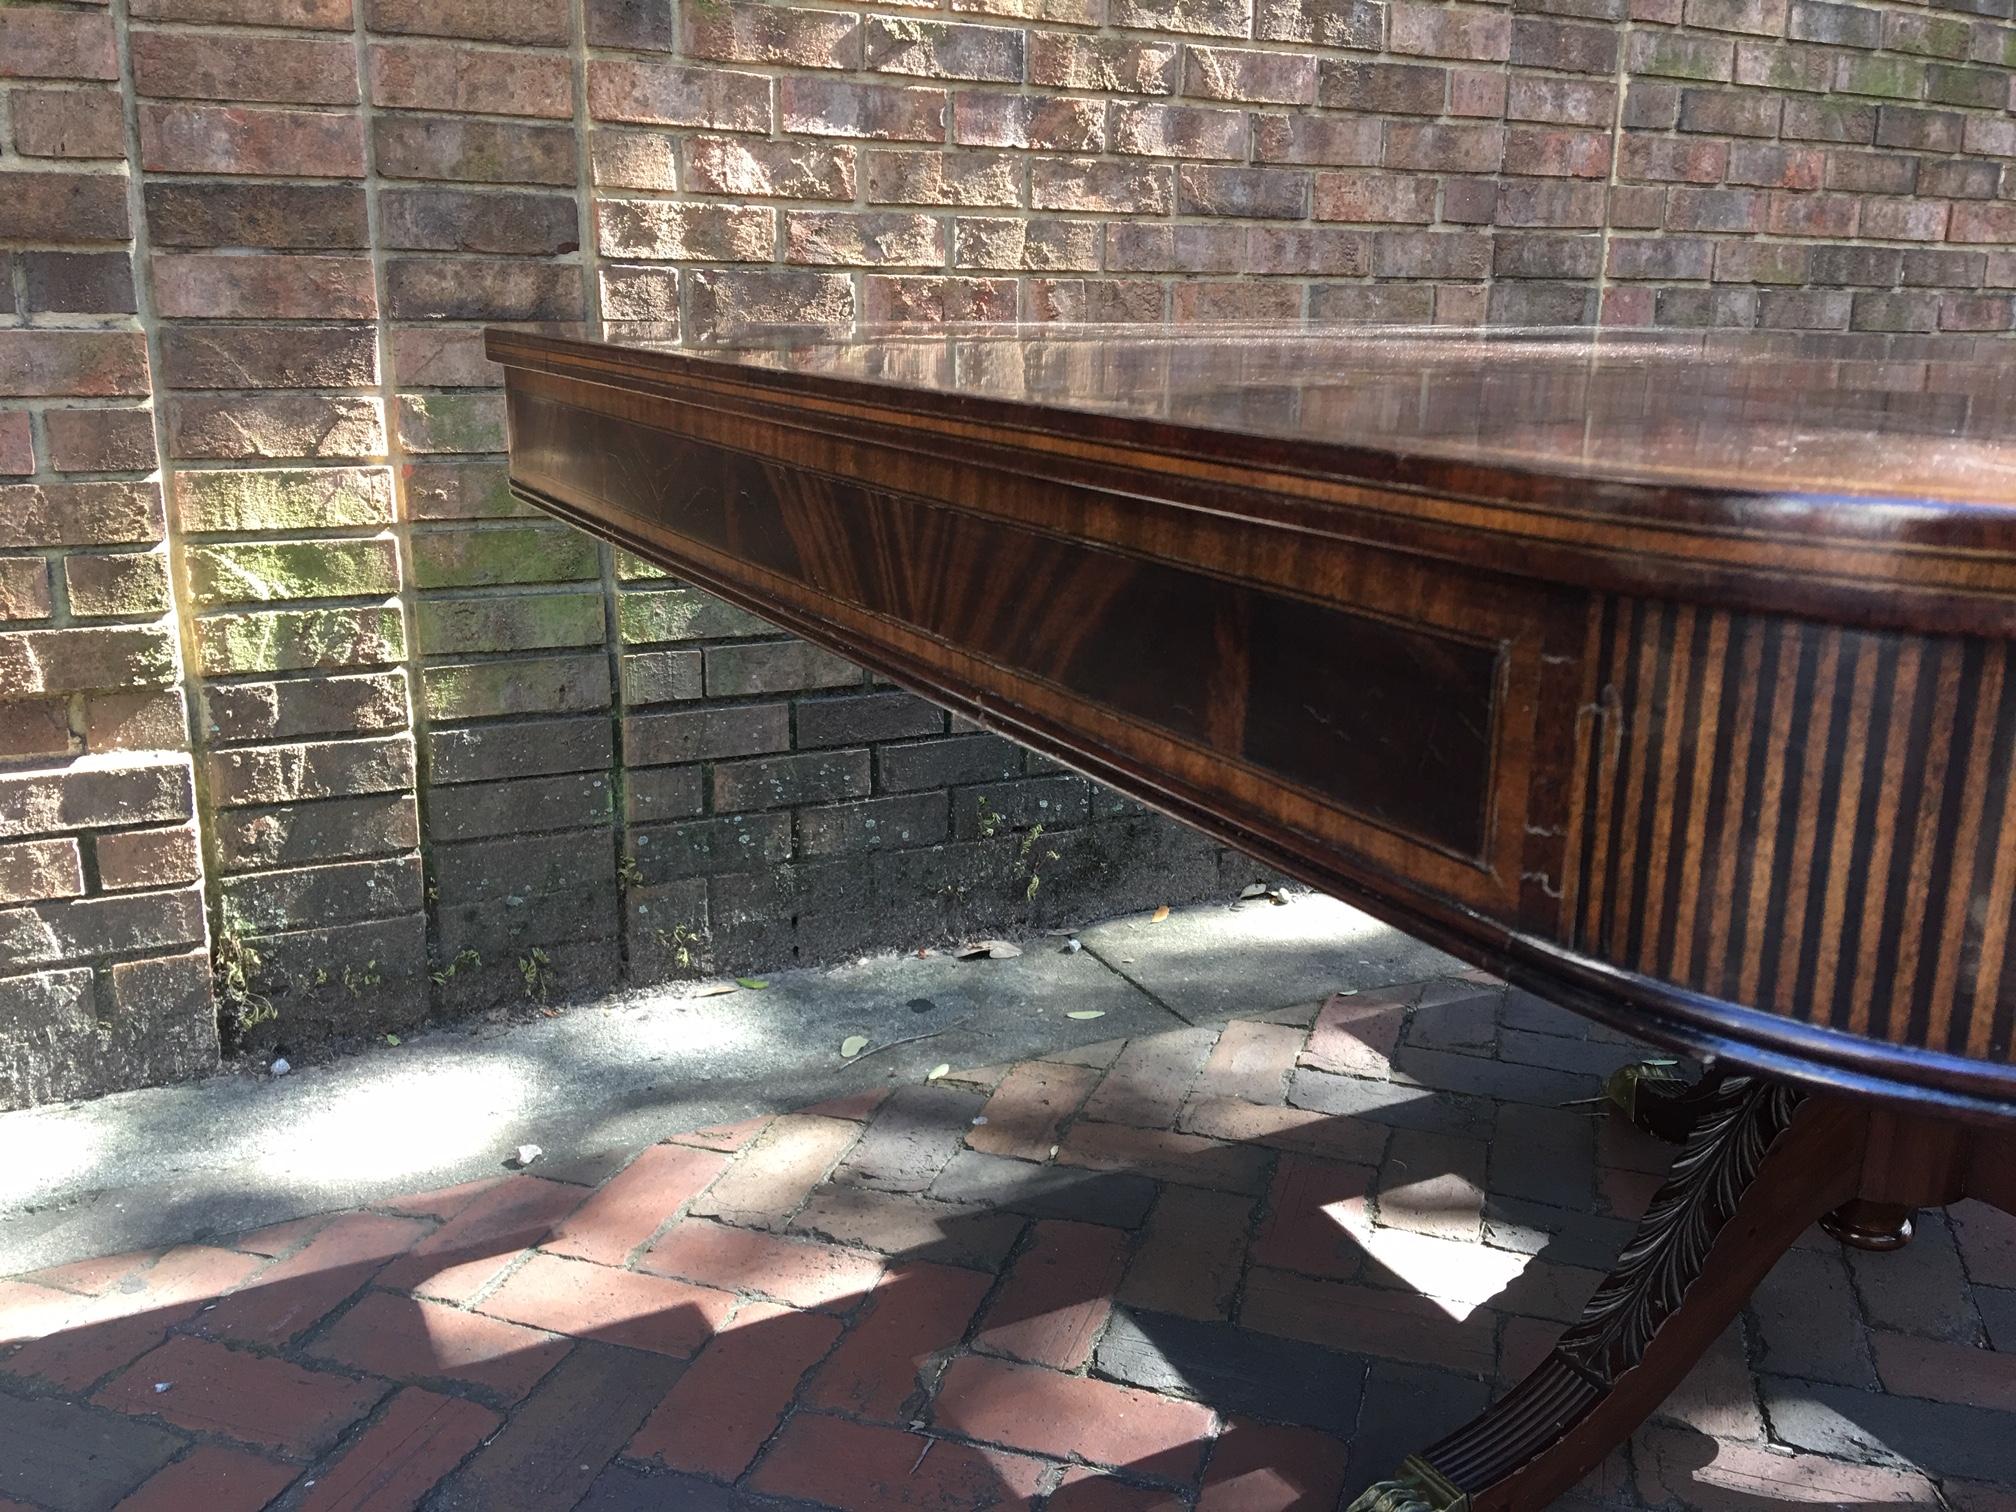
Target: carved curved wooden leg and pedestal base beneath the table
(1761, 1164)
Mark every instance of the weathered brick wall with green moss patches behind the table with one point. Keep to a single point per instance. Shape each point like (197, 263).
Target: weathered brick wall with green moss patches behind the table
(449, 755)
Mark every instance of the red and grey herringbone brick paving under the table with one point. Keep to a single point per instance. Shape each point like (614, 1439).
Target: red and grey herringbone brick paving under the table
(1235, 1271)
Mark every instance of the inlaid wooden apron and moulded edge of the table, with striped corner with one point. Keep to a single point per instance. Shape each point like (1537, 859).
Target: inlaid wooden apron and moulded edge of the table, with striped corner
(1715, 765)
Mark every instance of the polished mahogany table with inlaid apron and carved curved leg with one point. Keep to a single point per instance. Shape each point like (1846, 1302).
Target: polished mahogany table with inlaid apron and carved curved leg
(1668, 674)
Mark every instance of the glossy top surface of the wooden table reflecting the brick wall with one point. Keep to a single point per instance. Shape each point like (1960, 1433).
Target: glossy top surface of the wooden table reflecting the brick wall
(1900, 416)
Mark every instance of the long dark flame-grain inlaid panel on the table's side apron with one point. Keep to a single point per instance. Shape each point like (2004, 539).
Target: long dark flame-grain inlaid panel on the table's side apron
(1390, 723)
